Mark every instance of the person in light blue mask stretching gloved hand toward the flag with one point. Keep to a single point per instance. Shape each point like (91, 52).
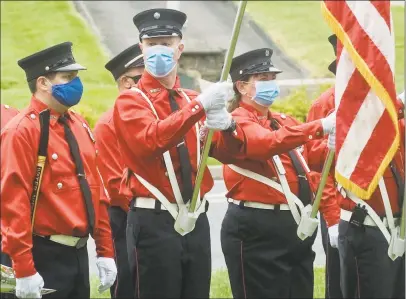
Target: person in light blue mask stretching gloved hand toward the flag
(266, 178)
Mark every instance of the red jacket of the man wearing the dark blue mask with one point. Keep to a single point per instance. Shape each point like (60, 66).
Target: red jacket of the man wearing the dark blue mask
(61, 207)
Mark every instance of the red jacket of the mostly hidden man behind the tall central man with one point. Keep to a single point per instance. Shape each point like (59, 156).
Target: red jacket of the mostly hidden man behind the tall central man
(111, 165)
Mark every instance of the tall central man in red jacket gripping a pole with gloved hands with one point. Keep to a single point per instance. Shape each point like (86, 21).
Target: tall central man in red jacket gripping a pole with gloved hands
(157, 128)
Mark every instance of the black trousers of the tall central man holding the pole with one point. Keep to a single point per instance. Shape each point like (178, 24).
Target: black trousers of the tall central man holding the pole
(167, 265)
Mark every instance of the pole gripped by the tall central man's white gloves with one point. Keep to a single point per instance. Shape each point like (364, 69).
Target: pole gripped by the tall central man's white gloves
(224, 75)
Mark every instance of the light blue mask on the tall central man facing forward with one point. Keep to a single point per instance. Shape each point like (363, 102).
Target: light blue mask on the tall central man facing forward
(159, 60)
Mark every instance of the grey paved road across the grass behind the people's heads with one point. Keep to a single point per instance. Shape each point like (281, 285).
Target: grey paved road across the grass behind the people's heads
(209, 28)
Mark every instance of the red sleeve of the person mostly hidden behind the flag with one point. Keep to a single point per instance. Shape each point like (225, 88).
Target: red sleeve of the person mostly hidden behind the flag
(322, 107)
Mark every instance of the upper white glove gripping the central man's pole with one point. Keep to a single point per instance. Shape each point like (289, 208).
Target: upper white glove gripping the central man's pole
(216, 96)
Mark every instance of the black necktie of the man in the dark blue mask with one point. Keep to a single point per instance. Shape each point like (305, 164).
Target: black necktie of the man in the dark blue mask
(84, 185)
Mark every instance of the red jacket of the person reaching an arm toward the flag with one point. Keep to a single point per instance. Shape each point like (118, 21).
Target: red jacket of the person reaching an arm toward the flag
(258, 143)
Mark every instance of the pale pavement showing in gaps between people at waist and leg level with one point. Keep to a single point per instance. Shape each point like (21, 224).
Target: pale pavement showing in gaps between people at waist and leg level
(216, 213)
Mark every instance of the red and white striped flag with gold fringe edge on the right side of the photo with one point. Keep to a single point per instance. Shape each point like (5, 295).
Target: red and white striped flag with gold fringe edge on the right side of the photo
(367, 134)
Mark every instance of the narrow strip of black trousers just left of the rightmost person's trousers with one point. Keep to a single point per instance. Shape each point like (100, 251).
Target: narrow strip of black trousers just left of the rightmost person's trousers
(332, 278)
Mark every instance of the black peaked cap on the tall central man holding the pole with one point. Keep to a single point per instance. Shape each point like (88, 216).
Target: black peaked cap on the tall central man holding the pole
(160, 22)
